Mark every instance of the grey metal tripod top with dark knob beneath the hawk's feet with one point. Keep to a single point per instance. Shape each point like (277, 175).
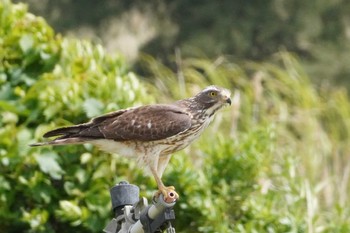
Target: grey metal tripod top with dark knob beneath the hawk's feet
(134, 215)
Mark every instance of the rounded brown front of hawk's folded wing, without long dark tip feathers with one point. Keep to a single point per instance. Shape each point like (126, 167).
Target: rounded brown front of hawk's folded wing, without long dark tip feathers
(147, 123)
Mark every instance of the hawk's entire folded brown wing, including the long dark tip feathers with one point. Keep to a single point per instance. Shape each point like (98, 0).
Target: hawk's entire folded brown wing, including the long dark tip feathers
(146, 123)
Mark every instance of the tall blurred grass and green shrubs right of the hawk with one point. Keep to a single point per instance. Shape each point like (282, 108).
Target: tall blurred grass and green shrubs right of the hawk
(275, 161)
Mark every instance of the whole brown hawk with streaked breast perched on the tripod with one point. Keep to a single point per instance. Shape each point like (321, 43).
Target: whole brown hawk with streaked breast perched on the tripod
(149, 133)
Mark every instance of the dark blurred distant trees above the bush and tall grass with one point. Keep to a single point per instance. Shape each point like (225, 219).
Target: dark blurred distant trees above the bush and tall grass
(315, 30)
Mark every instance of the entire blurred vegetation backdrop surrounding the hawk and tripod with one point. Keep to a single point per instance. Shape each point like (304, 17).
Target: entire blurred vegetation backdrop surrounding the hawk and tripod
(276, 161)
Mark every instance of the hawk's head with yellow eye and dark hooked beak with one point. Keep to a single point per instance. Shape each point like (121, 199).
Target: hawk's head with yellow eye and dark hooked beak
(213, 98)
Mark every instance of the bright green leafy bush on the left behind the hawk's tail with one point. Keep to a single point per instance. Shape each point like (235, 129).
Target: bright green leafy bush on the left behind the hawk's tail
(48, 81)
